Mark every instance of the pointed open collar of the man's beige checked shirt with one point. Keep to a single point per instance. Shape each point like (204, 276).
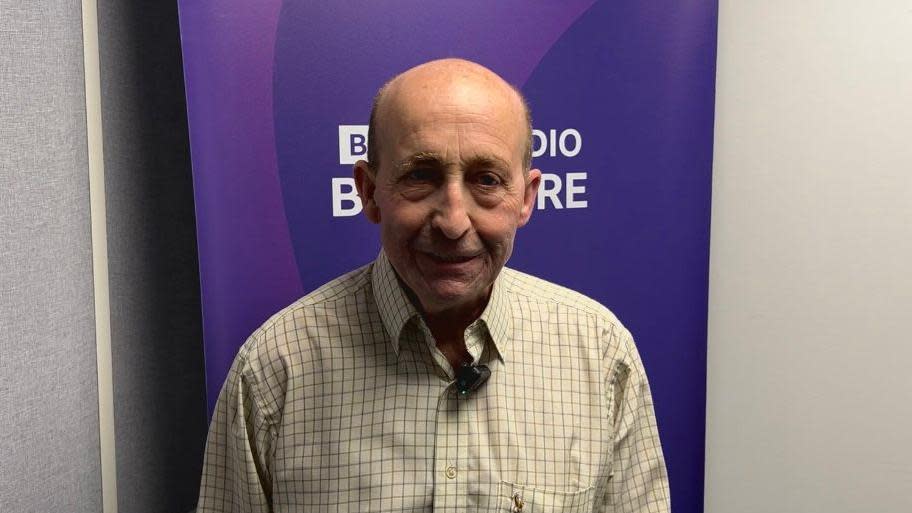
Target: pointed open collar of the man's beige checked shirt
(396, 310)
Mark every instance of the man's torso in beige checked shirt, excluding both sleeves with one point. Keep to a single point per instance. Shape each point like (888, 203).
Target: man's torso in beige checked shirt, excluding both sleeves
(363, 427)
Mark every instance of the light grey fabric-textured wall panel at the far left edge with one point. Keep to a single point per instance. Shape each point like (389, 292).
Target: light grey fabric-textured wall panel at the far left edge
(49, 445)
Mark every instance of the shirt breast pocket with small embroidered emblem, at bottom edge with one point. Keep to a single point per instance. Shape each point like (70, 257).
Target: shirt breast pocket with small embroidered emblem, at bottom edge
(530, 499)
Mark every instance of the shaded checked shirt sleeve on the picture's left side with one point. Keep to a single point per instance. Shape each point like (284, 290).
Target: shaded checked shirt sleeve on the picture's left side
(236, 466)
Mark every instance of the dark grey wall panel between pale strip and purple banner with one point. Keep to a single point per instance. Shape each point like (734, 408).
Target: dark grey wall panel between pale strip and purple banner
(159, 395)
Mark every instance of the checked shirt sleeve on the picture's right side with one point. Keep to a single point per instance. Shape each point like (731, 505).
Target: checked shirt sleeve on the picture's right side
(639, 481)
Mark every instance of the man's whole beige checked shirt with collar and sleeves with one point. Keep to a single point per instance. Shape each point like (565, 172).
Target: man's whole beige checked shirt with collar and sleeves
(342, 402)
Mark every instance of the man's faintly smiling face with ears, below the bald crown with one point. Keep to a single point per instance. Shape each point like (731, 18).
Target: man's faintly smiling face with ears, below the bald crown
(450, 190)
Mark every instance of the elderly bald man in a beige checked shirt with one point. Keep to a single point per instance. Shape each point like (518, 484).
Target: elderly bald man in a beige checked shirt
(434, 378)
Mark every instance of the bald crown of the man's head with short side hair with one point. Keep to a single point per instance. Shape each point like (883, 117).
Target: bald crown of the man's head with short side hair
(442, 80)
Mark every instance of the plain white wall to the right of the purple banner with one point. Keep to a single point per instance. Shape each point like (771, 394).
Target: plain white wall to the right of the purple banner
(810, 343)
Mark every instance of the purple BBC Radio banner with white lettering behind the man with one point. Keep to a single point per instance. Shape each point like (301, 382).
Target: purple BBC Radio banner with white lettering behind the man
(621, 93)
